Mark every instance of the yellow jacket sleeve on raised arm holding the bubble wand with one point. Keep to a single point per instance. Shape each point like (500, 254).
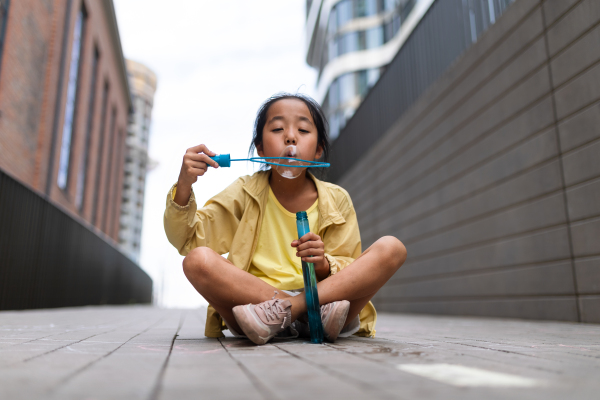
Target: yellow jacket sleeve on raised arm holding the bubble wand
(212, 226)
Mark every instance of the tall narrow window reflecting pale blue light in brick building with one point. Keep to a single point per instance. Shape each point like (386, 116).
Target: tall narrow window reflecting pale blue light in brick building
(71, 104)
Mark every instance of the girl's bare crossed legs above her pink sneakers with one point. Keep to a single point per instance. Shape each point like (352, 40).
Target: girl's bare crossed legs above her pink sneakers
(225, 286)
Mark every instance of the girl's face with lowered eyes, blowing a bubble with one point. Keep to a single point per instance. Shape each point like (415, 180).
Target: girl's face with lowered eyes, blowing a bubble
(289, 123)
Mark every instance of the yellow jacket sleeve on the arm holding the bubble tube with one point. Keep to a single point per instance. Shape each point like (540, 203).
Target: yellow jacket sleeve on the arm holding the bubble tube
(342, 241)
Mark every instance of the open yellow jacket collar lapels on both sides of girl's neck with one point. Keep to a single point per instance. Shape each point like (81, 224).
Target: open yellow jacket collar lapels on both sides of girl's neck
(257, 187)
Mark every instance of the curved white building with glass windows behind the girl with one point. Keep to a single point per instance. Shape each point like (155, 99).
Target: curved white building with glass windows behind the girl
(350, 43)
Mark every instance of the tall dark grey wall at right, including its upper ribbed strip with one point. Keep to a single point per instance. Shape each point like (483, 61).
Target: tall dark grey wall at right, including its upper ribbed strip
(485, 163)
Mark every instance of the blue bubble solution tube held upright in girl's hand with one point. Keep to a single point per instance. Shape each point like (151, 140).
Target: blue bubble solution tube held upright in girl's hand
(310, 286)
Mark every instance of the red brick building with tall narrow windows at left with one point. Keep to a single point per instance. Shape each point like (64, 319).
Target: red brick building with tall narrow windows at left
(64, 104)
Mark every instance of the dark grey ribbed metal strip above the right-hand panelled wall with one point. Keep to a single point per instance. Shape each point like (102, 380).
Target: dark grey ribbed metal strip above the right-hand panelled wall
(445, 32)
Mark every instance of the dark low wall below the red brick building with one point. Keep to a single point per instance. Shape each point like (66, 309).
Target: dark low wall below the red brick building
(49, 259)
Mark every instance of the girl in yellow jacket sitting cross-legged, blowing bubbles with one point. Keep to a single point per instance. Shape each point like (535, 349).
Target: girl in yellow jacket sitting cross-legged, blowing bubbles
(255, 291)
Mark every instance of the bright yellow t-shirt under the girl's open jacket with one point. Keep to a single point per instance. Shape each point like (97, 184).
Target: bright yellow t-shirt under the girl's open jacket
(274, 260)
